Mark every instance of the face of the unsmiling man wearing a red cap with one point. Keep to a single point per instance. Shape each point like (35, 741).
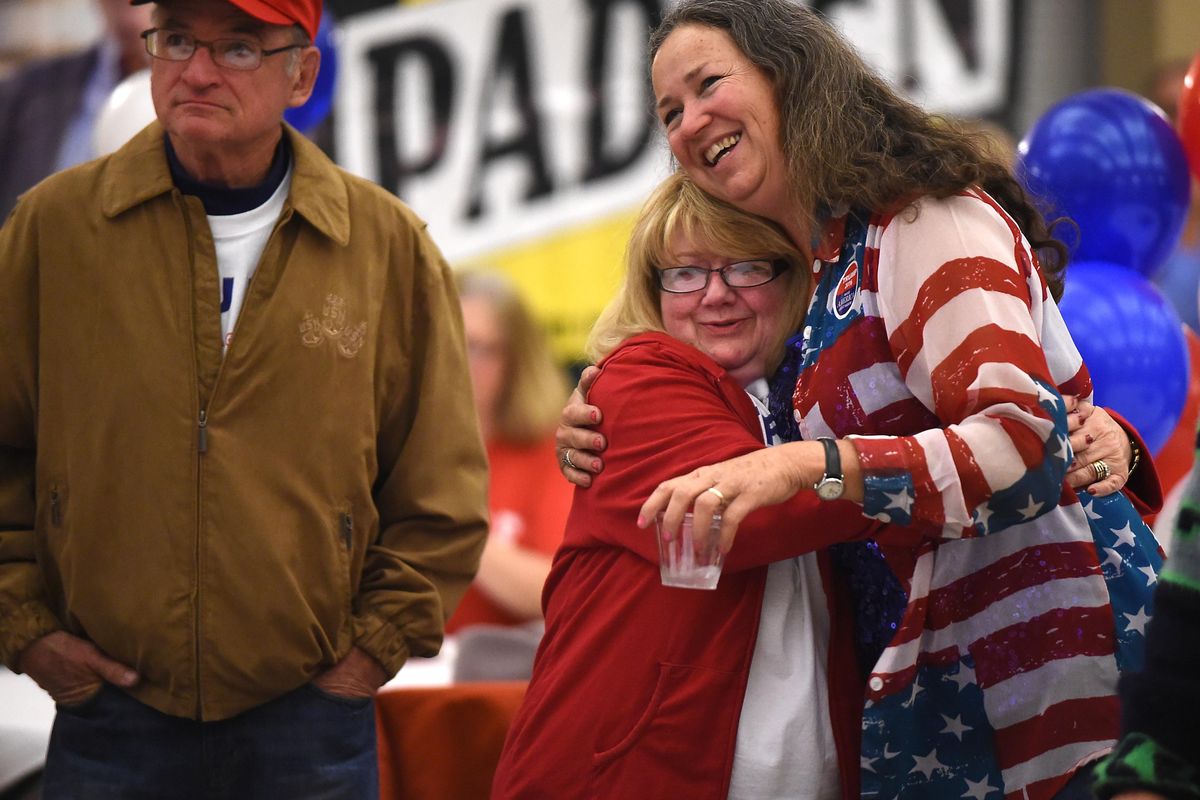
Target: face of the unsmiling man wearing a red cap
(213, 112)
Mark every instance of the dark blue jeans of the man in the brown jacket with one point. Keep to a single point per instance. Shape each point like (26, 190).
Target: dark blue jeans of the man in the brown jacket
(307, 744)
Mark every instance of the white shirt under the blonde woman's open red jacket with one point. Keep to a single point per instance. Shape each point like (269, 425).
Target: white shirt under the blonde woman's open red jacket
(785, 747)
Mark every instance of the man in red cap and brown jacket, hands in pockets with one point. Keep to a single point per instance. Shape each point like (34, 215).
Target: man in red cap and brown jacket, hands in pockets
(242, 482)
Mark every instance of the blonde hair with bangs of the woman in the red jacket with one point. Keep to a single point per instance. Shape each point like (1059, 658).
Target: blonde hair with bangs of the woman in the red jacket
(677, 207)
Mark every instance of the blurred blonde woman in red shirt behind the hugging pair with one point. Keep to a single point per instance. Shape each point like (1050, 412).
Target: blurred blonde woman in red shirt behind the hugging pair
(519, 392)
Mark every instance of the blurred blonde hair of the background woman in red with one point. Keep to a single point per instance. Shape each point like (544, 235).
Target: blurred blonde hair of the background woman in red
(536, 388)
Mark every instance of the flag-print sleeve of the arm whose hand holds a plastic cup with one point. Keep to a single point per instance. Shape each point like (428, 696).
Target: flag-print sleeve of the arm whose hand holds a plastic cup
(963, 308)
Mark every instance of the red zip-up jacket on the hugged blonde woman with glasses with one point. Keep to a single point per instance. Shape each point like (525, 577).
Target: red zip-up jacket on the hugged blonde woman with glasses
(638, 688)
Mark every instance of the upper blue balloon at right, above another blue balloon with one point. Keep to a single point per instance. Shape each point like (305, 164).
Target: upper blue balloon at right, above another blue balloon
(1111, 161)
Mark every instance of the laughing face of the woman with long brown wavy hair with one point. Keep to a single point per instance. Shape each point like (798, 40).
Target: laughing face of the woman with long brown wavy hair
(722, 119)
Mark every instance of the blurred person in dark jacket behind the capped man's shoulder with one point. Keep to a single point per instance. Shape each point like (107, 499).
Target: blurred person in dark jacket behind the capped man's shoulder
(49, 109)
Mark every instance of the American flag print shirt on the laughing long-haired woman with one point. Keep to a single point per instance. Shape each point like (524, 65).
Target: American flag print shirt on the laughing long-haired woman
(933, 340)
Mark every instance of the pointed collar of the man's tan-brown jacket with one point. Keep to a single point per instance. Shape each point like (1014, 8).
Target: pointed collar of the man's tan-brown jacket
(139, 173)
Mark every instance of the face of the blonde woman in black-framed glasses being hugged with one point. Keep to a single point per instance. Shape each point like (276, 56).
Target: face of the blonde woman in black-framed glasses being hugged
(740, 329)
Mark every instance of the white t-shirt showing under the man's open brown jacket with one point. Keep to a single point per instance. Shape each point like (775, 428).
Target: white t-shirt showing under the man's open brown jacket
(241, 240)
